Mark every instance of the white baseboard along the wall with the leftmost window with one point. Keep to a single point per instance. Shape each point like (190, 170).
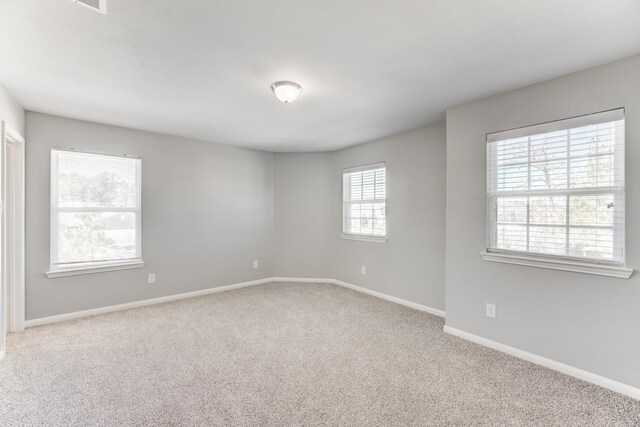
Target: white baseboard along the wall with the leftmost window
(142, 303)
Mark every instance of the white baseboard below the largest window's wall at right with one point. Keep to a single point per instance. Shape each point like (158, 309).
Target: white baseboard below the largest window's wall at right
(548, 363)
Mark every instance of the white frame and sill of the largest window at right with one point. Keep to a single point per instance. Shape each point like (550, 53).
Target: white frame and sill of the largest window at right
(559, 262)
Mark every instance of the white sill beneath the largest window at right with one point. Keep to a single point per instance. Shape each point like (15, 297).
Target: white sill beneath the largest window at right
(557, 264)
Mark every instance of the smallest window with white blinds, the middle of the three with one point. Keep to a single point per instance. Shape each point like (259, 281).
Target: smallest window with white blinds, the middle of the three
(364, 202)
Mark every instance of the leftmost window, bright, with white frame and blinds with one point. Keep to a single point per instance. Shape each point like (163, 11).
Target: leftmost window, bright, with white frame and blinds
(95, 211)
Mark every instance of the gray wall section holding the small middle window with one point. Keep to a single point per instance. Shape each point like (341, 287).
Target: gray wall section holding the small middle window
(411, 264)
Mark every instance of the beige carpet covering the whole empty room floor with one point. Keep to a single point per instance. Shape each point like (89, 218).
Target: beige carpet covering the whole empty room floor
(283, 354)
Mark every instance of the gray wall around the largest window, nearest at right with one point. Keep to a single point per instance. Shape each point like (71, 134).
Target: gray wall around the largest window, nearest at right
(585, 321)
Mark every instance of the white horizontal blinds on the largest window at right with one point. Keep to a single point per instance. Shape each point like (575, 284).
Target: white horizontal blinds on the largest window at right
(557, 189)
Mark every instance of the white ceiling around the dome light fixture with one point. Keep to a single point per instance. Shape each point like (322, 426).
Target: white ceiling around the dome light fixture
(369, 68)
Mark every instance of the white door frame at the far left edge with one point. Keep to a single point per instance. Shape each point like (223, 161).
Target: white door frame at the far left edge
(13, 225)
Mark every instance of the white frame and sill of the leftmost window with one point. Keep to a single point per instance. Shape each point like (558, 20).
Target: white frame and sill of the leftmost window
(71, 269)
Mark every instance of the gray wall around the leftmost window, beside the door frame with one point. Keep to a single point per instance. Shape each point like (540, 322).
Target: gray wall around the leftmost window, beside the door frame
(207, 213)
